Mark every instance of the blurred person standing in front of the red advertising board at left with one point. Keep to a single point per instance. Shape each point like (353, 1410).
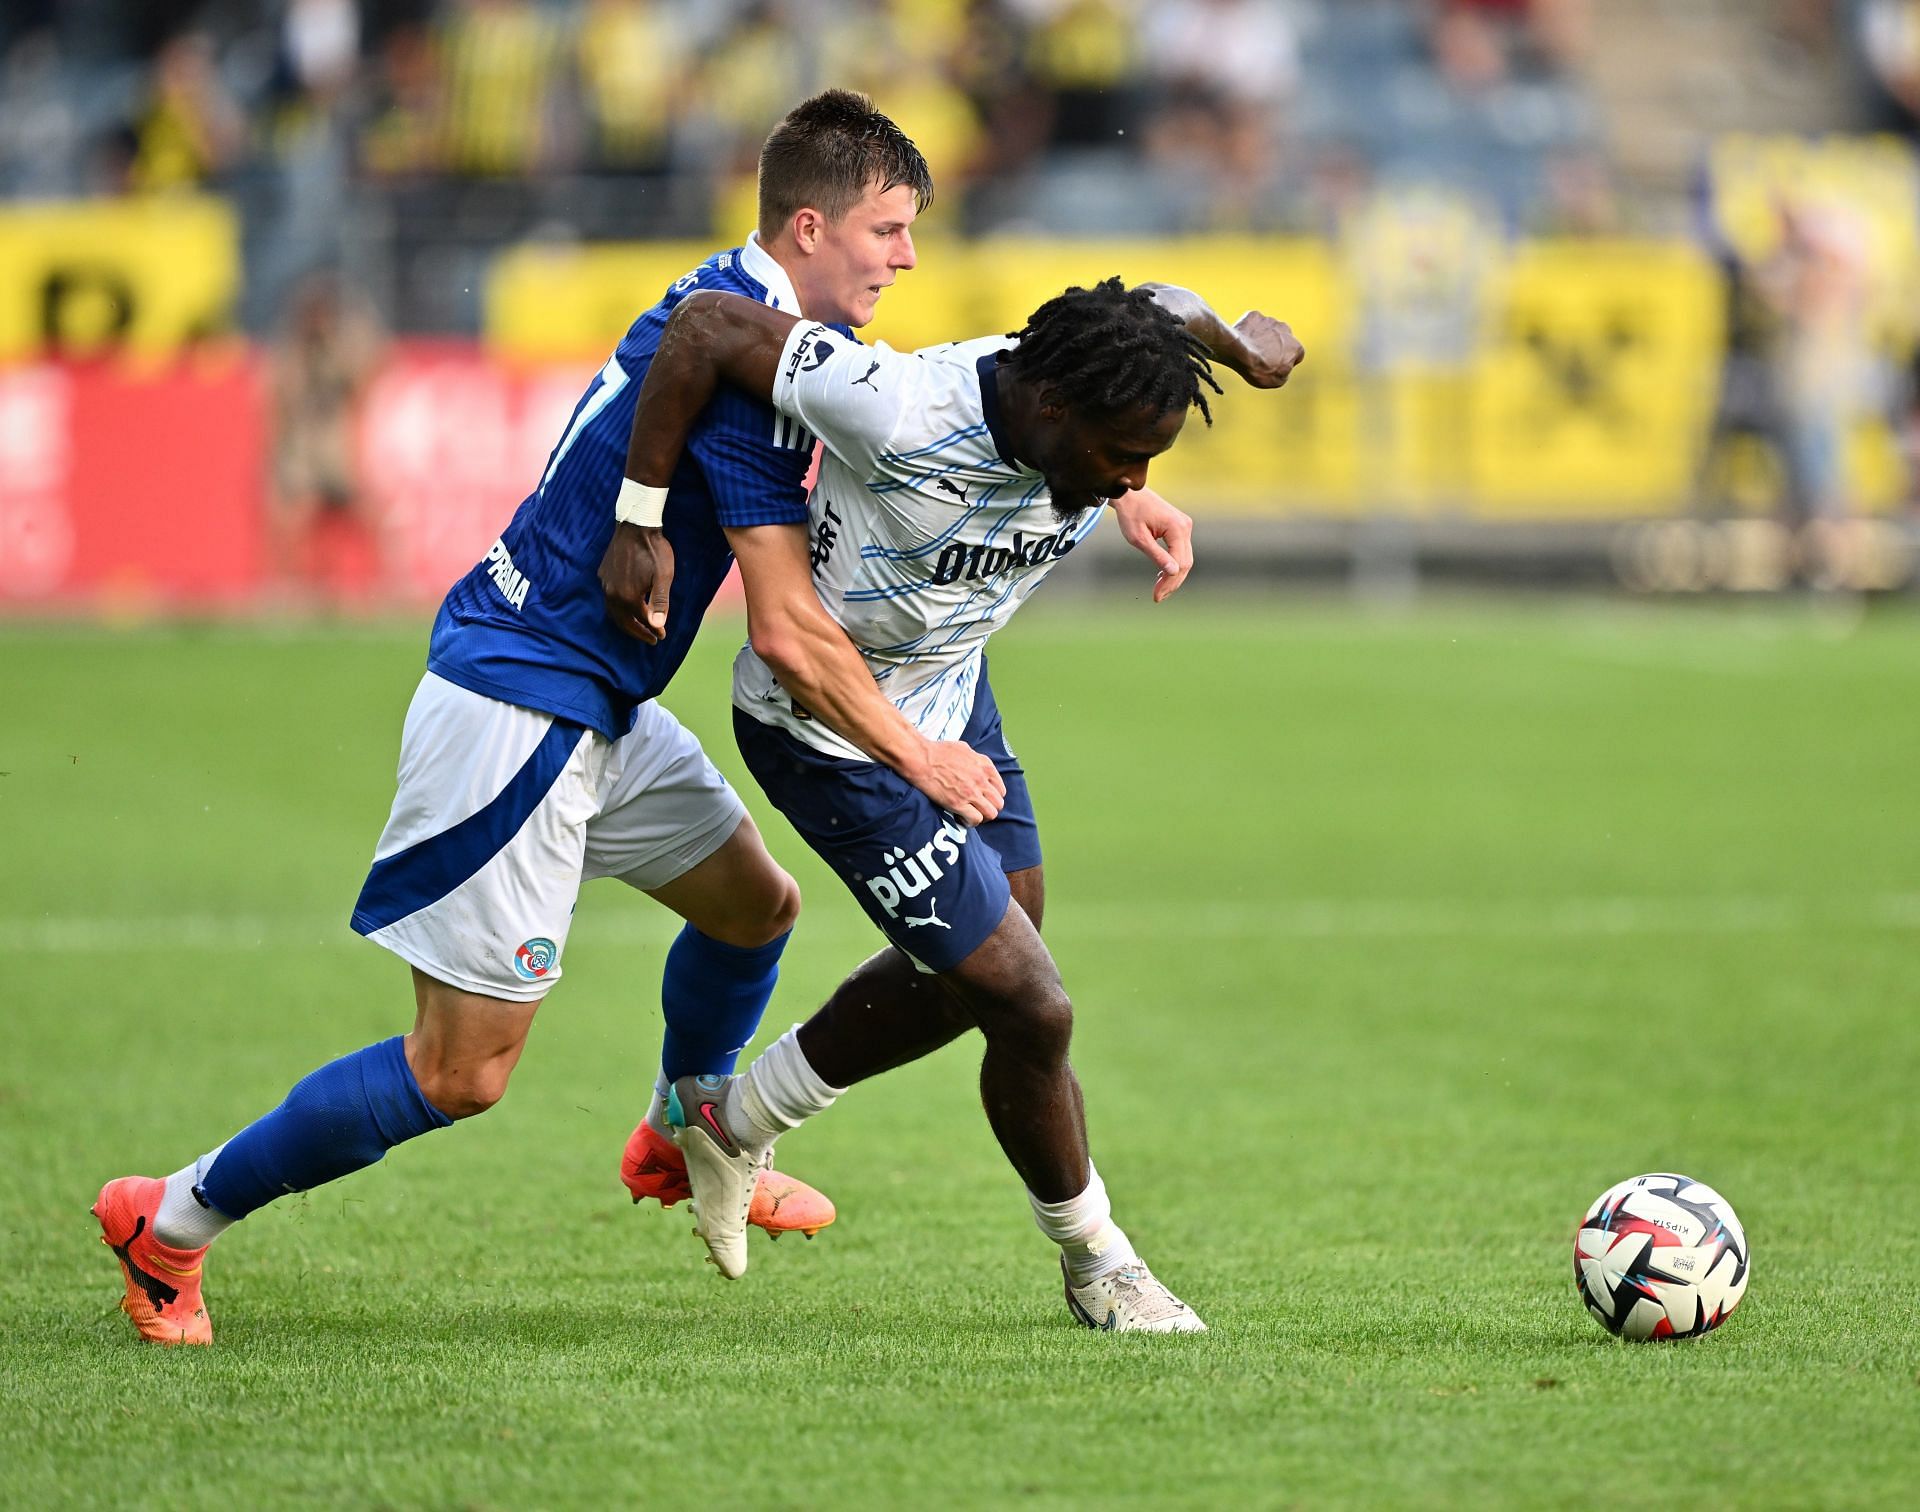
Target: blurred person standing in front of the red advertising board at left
(324, 536)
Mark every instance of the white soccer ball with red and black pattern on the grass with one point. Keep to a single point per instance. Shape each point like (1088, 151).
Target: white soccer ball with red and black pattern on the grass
(1660, 1258)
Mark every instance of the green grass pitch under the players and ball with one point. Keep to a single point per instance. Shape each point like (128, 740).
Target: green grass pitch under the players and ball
(1395, 941)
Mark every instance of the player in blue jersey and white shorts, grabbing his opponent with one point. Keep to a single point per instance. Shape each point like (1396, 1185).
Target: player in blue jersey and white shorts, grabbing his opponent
(537, 755)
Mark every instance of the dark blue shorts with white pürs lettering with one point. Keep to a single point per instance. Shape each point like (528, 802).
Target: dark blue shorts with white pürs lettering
(936, 887)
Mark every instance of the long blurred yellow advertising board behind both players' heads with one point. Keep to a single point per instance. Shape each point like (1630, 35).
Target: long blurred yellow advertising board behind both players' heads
(1589, 390)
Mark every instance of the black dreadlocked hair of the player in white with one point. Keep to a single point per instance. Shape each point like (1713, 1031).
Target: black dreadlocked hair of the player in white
(1111, 350)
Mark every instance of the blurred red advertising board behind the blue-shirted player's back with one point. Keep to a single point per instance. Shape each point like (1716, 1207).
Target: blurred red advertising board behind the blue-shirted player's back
(132, 488)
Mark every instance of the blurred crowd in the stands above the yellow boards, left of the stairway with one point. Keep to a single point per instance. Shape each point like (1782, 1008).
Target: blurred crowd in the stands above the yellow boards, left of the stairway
(473, 122)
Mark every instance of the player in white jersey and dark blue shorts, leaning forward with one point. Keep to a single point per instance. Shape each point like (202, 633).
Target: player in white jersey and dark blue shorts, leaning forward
(953, 483)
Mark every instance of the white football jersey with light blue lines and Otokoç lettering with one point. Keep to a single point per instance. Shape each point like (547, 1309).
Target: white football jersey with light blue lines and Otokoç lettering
(924, 536)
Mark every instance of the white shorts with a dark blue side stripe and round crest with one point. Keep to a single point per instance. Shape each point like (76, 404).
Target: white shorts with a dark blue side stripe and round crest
(502, 813)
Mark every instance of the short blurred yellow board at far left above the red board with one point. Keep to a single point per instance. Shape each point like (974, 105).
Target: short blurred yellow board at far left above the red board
(143, 275)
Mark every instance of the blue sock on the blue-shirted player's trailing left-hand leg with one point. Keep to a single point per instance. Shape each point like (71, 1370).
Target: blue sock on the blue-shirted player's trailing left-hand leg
(345, 1116)
